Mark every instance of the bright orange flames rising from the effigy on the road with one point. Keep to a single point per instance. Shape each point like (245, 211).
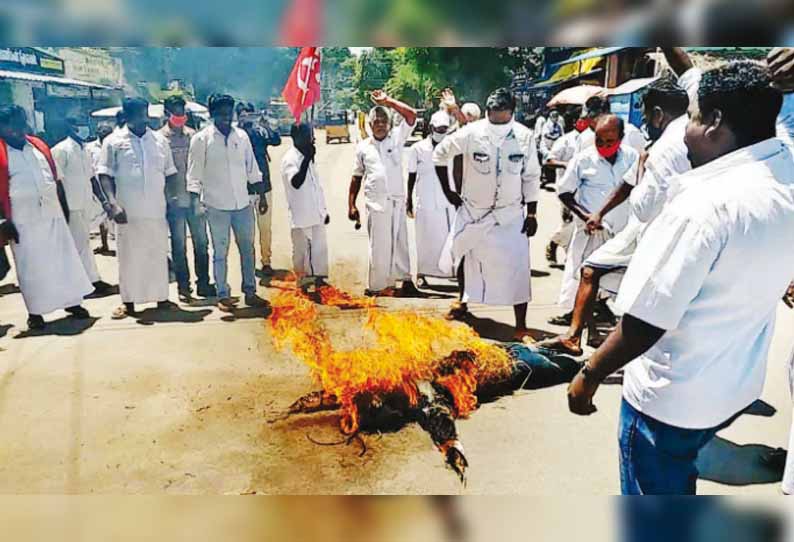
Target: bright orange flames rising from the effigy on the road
(408, 348)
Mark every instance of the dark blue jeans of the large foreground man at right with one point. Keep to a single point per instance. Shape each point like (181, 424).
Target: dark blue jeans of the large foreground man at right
(656, 458)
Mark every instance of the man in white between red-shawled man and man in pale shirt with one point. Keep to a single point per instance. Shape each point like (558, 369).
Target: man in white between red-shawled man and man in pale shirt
(76, 171)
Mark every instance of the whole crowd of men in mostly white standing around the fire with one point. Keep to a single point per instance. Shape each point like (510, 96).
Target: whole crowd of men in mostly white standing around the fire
(689, 226)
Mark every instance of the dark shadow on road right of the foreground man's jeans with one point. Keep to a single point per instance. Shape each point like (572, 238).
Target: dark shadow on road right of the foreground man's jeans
(733, 464)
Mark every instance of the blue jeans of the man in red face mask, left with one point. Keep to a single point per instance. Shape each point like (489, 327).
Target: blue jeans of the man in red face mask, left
(179, 219)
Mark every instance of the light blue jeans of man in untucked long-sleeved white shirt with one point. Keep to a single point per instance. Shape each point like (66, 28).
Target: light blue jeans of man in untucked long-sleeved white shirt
(243, 224)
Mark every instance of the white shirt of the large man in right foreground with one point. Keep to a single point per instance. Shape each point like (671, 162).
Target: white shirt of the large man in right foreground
(710, 270)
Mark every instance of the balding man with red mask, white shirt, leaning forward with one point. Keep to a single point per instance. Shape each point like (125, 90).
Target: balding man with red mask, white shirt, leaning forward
(585, 188)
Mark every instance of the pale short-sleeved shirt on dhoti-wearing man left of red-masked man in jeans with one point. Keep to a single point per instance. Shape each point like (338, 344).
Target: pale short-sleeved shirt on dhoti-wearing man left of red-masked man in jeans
(139, 166)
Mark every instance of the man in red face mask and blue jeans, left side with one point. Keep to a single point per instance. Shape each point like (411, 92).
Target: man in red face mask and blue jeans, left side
(179, 213)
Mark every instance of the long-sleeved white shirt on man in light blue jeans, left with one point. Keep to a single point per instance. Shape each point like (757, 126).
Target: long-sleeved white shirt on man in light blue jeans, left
(221, 168)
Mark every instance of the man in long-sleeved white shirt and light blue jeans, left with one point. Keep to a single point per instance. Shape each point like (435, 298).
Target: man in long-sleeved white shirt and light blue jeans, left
(221, 165)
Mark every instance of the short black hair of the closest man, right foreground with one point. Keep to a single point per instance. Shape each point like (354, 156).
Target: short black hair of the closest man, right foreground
(743, 92)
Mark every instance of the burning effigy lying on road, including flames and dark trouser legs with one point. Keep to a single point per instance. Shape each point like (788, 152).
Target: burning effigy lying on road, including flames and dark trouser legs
(418, 368)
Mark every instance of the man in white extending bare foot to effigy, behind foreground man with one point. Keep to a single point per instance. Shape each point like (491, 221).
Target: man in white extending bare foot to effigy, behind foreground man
(665, 104)
